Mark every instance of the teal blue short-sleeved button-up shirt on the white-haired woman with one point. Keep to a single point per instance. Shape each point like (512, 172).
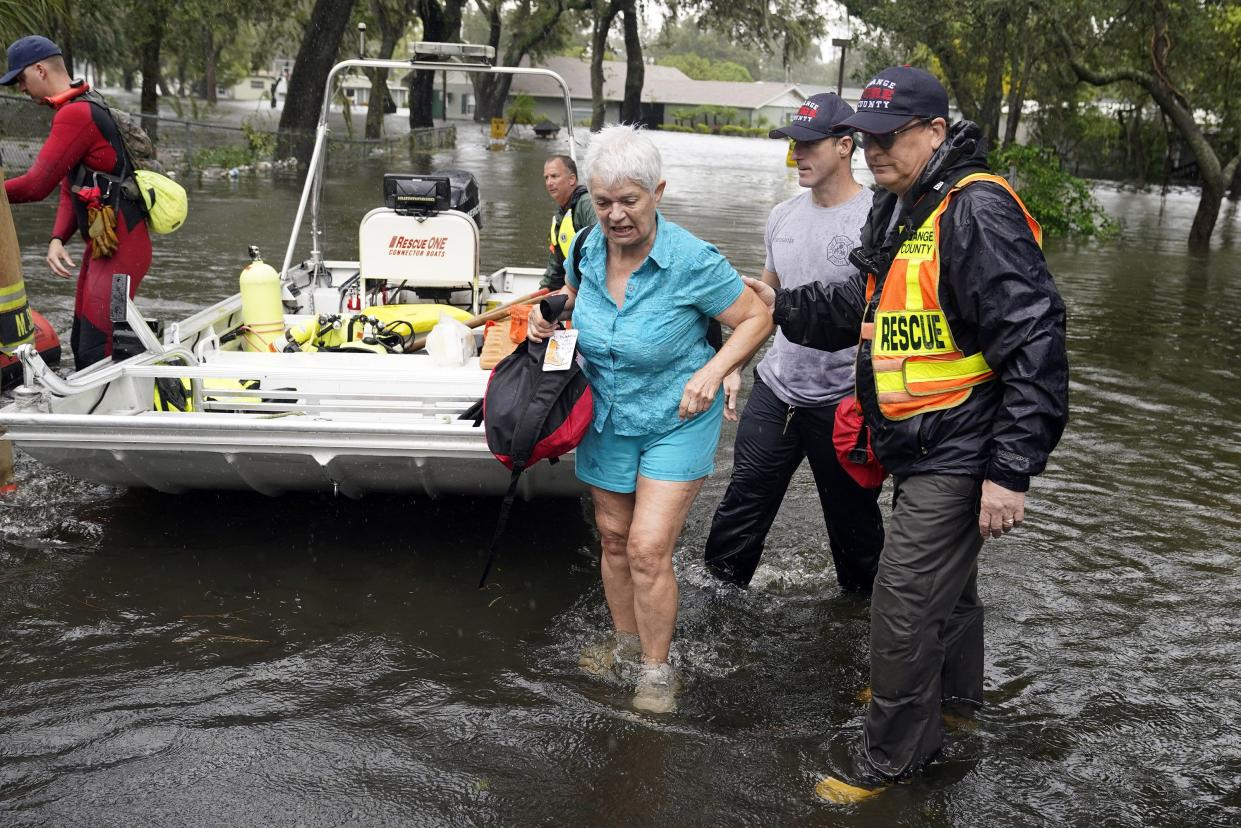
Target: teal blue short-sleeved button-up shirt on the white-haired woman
(641, 356)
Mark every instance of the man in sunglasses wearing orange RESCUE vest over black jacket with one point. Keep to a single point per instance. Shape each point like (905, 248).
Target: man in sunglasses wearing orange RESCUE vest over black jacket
(964, 382)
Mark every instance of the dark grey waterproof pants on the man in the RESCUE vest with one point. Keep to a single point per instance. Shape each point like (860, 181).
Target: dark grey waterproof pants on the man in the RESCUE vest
(926, 623)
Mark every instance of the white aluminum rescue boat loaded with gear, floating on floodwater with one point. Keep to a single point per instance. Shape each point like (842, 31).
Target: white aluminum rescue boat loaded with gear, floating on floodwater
(325, 397)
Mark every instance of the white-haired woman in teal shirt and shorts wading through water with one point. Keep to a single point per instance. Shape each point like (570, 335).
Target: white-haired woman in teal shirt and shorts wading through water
(642, 296)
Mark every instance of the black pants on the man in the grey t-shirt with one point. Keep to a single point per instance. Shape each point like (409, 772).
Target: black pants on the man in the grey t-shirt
(773, 440)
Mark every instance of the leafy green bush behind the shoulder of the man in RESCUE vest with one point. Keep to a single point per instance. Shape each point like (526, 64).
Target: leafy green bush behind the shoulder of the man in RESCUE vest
(1060, 202)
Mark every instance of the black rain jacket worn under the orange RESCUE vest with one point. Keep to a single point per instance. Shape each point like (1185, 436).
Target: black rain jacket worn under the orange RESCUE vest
(998, 297)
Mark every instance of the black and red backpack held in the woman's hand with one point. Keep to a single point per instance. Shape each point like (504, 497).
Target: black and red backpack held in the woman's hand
(531, 415)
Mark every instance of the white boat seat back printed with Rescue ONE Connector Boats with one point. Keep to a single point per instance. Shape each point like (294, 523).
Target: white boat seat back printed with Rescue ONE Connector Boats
(437, 251)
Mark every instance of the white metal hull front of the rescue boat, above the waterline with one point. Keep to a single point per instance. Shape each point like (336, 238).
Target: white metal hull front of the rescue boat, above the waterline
(274, 457)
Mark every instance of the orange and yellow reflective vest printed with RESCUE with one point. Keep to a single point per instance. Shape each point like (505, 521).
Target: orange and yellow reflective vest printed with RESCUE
(918, 364)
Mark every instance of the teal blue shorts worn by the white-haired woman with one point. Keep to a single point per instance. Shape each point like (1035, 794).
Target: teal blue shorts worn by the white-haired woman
(614, 462)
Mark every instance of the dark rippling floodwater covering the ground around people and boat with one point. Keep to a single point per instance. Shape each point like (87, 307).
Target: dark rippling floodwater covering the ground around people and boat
(235, 660)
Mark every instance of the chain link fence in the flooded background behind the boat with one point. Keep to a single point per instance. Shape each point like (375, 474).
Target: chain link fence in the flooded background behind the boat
(197, 146)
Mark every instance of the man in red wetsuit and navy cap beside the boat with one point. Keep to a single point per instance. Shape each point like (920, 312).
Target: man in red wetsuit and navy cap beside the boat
(84, 152)
